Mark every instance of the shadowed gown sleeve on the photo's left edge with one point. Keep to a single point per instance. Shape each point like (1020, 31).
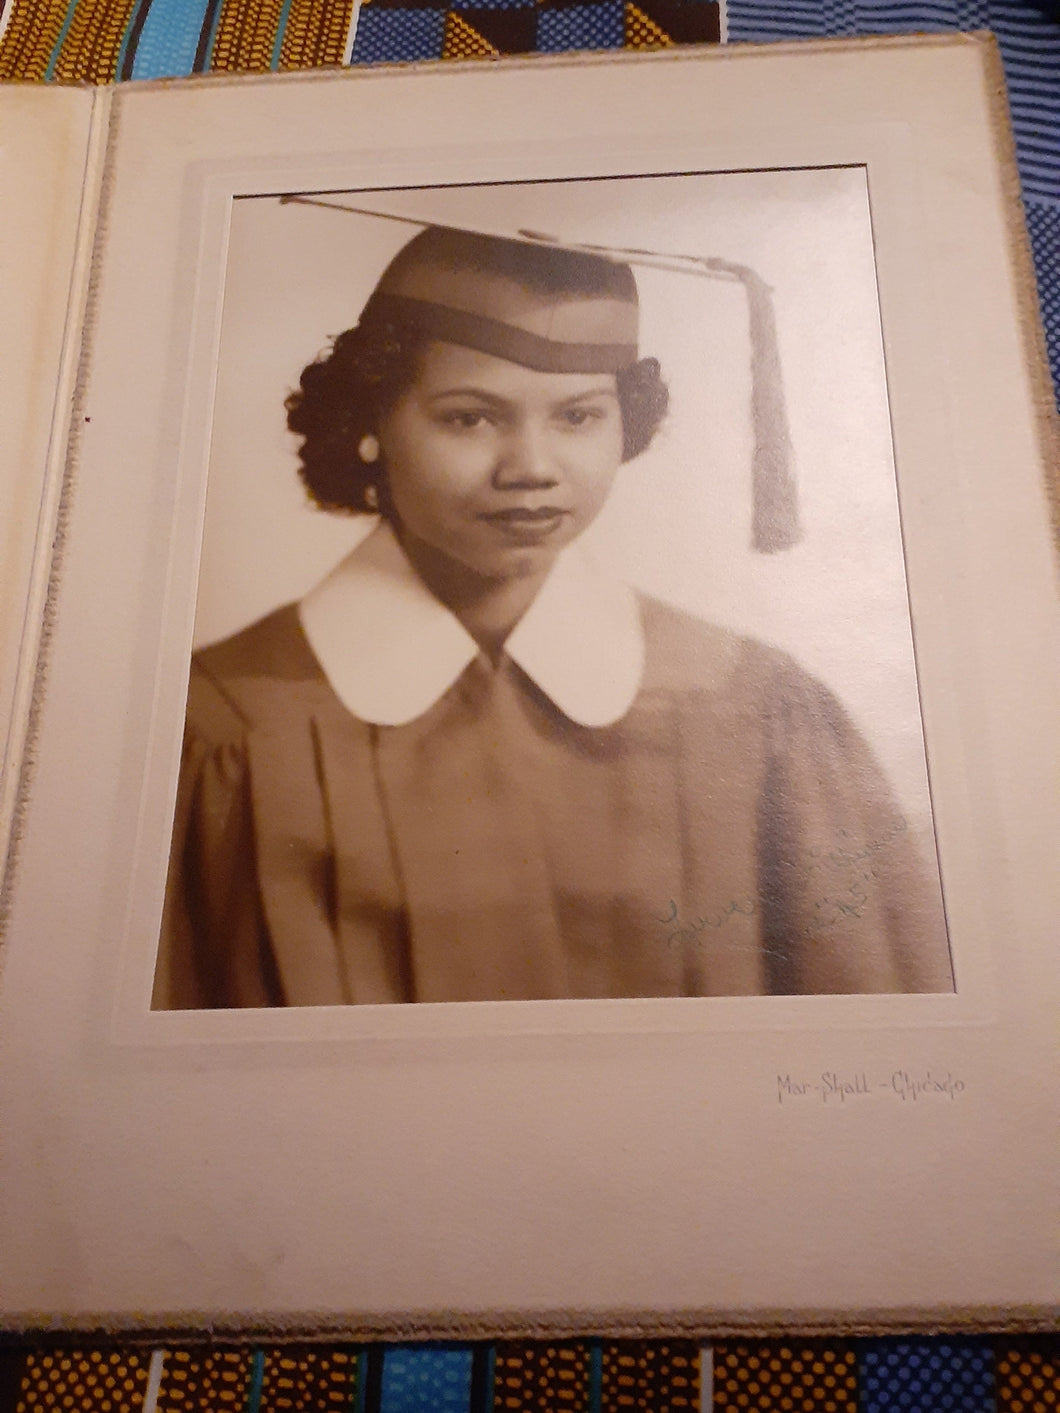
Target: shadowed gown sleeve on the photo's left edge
(214, 949)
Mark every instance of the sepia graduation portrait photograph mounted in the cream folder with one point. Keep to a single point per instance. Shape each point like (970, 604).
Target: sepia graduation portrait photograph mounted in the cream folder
(553, 638)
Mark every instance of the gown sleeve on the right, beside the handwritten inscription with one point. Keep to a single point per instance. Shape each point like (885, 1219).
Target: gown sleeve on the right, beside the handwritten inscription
(849, 902)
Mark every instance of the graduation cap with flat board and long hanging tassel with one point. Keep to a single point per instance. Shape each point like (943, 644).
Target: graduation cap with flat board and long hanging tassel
(570, 307)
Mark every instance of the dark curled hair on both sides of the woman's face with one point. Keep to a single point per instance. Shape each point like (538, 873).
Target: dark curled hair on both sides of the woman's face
(347, 391)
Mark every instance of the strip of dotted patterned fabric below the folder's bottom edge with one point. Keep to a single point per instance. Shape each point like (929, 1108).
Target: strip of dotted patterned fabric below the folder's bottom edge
(942, 1376)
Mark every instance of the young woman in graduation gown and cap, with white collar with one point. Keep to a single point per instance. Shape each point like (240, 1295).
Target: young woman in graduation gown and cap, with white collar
(466, 767)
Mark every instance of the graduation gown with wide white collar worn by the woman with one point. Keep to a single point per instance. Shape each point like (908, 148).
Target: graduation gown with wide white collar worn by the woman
(720, 827)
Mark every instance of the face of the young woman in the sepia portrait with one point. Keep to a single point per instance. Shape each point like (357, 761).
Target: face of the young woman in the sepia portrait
(497, 466)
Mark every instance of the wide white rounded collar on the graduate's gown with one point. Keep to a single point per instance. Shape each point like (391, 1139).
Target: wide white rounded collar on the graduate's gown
(391, 649)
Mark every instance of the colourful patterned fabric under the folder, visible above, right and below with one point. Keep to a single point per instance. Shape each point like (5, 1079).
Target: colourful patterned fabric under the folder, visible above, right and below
(104, 40)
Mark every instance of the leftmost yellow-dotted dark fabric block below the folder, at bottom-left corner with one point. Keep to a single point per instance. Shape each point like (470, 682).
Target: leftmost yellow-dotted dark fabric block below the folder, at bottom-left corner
(94, 1381)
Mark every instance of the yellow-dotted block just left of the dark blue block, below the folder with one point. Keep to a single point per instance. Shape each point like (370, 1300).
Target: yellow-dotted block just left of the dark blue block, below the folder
(803, 1377)
